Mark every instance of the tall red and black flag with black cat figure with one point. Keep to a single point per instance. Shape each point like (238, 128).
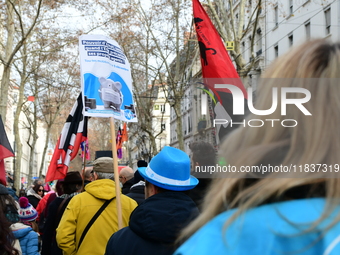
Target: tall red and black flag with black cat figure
(217, 68)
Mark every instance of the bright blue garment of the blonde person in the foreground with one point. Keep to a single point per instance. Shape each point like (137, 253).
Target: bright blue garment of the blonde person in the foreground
(273, 229)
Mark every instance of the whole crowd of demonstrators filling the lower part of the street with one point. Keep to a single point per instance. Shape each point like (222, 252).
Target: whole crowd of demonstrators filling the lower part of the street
(242, 215)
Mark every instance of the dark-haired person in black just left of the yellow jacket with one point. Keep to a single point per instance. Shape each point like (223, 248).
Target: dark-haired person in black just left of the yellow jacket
(72, 185)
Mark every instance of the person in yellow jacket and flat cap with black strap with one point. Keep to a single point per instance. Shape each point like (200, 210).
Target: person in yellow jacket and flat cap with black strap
(84, 206)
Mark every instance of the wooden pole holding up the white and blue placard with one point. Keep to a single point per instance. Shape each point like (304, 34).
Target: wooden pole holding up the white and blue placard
(116, 174)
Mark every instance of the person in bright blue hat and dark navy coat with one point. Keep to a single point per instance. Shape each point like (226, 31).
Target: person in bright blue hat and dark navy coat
(155, 224)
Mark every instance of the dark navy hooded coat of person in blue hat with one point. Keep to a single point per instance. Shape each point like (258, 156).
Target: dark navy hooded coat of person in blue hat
(154, 225)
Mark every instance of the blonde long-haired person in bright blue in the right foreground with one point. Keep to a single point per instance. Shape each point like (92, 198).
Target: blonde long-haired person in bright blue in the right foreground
(294, 212)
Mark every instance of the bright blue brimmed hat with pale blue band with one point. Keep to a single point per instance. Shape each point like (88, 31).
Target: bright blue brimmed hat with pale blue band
(170, 169)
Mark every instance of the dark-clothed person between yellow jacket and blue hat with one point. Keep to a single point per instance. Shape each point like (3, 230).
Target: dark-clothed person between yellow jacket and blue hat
(137, 189)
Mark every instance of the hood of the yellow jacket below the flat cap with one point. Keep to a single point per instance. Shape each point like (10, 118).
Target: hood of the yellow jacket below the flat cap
(102, 189)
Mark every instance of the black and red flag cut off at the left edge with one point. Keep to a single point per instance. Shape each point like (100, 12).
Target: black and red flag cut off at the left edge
(5, 152)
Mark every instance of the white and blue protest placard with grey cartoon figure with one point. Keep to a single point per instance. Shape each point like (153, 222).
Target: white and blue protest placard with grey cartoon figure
(106, 79)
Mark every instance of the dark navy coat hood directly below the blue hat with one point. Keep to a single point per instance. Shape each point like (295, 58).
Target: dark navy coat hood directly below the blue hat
(162, 216)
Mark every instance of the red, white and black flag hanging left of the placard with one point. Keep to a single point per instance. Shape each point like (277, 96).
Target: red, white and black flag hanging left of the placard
(74, 132)
